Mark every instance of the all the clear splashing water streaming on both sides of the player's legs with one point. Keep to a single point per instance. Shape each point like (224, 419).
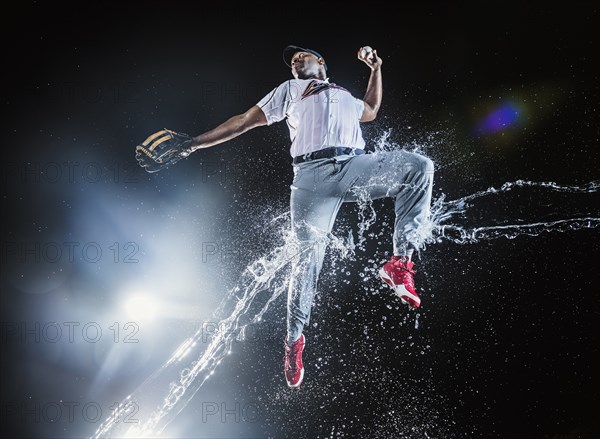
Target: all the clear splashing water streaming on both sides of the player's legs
(147, 411)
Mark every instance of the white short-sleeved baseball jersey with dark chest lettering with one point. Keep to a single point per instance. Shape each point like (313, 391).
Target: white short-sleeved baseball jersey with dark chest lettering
(319, 114)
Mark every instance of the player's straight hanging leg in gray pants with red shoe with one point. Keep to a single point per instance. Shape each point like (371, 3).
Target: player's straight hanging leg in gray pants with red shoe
(314, 203)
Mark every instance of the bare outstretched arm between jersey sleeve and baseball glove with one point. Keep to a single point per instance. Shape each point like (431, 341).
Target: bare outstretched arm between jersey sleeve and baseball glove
(230, 129)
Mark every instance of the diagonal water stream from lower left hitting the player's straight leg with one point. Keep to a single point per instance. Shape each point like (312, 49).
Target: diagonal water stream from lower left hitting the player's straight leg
(148, 410)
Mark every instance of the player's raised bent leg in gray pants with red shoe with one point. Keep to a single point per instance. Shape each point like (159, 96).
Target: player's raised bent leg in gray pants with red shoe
(408, 178)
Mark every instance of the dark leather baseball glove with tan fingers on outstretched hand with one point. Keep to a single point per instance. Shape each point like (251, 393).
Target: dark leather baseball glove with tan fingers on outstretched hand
(162, 149)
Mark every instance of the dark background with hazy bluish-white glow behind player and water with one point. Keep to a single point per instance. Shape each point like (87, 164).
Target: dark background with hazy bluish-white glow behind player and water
(506, 343)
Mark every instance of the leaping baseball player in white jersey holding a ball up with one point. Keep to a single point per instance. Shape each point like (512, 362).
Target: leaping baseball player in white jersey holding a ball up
(330, 167)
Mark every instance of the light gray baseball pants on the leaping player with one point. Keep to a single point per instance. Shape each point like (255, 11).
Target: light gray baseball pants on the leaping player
(318, 190)
